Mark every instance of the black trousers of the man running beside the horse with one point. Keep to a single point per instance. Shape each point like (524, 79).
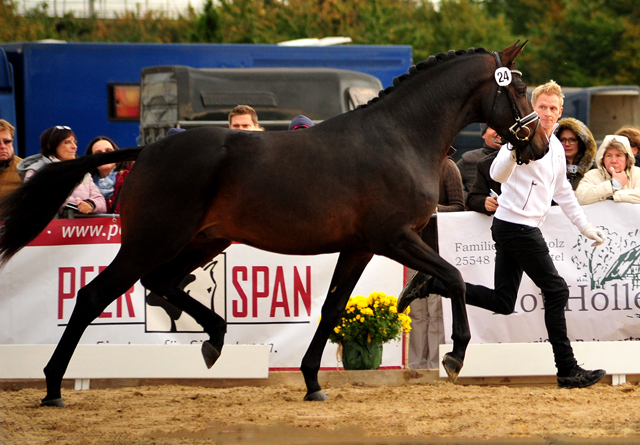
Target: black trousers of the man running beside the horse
(521, 248)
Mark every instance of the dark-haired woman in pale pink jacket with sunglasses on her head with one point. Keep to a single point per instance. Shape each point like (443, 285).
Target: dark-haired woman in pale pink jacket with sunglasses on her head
(59, 144)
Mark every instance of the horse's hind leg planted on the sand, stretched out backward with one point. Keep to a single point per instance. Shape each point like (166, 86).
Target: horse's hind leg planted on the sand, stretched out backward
(91, 301)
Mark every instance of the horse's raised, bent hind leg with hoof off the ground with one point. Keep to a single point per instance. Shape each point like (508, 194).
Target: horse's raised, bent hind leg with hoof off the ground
(165, 279)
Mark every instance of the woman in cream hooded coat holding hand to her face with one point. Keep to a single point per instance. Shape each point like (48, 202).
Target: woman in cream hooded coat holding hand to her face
(616, 176)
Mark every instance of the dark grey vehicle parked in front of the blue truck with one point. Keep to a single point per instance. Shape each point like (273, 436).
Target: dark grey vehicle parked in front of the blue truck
(180, 96)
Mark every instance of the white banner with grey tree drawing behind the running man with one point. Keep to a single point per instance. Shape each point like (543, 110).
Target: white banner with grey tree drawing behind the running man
(604, 281)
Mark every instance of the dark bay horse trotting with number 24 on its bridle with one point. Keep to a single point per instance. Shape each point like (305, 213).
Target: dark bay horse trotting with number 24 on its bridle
(361, 183)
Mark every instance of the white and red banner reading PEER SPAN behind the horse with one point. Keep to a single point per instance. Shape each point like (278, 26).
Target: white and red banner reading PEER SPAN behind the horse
(266, 298)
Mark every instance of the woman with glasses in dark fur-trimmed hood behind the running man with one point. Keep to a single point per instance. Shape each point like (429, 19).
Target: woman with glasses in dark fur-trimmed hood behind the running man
(579, 148)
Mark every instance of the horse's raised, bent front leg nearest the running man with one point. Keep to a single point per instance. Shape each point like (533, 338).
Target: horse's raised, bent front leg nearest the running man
(412, 252)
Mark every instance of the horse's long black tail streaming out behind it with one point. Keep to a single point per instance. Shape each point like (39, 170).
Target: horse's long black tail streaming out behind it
(27, 211)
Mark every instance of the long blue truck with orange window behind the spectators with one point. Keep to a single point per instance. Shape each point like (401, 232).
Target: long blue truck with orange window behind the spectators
(95, 87)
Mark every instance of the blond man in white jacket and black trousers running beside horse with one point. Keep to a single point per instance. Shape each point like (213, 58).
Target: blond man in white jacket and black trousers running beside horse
(527, 191)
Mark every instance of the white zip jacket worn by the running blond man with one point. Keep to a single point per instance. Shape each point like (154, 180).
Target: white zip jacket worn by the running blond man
(527, 190)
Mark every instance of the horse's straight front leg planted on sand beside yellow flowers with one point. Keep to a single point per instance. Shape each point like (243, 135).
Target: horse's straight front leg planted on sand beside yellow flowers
(345, 276)
